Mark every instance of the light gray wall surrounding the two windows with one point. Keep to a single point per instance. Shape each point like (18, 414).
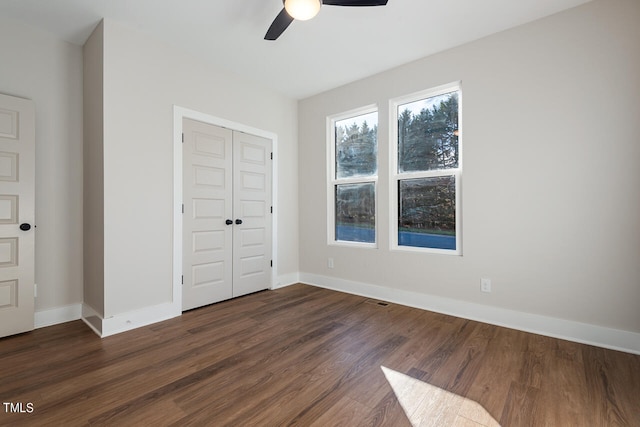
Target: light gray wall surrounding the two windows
(550, 197)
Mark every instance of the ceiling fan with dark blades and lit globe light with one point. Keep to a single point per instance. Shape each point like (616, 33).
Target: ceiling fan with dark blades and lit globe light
(307, 9)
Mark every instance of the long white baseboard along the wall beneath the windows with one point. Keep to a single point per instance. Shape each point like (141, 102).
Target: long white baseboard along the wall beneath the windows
(614, 339)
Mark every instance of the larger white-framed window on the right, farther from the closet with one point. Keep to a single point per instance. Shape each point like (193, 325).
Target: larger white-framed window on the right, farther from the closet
(425, 176)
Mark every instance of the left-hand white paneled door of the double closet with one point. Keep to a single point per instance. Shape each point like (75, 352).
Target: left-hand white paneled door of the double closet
(207, 195)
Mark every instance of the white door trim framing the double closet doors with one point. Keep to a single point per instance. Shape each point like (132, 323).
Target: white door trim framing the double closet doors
(180, 113)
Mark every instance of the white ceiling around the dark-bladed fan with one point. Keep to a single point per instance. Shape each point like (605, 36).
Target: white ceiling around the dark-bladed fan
(340, 45)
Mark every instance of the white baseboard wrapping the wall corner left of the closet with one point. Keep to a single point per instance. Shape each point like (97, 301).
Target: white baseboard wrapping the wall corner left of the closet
(123, 322)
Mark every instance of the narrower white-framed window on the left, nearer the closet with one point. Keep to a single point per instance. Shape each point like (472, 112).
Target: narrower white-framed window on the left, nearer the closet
(353, 177)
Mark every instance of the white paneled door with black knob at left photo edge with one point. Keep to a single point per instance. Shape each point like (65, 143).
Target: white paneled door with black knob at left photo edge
(17, 237)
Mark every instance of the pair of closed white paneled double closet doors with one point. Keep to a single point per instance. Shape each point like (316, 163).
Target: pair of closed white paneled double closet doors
(227, 214)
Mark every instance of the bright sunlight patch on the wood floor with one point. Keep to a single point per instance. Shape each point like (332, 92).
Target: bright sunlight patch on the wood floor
(427, 405)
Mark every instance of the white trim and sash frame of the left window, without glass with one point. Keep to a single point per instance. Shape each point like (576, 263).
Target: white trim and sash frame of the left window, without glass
(332, 181)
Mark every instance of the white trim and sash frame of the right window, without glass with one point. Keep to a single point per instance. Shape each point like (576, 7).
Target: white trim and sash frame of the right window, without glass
(395, 177)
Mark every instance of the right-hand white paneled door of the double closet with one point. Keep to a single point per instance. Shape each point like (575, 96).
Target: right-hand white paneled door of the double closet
(252, 213)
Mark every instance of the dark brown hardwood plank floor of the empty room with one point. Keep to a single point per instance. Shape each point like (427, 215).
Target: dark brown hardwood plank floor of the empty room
(312, 357)
